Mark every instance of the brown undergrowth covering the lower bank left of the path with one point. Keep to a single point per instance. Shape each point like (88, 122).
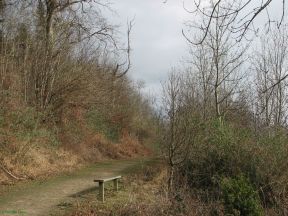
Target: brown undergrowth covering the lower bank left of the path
(31, 147)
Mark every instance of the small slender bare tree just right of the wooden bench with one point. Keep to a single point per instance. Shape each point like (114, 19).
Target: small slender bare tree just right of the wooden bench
(177, 136)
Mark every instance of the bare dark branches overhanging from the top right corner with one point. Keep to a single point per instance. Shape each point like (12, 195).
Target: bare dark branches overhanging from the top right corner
(241, 16)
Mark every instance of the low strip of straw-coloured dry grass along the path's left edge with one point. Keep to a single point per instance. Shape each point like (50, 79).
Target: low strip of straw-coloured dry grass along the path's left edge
(43, 161)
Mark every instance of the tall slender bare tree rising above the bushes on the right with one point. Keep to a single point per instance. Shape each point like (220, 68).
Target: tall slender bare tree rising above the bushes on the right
(218, 62)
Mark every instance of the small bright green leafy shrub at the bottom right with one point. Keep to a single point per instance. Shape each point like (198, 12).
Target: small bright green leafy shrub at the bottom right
(239, 197)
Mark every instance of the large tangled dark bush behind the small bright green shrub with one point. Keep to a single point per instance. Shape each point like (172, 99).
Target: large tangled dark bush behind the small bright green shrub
(227, 151)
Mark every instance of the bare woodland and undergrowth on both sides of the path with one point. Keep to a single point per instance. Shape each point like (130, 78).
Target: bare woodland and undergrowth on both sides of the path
(220, 130)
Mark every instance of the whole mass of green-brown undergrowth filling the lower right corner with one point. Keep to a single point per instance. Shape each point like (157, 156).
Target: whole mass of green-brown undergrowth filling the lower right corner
(241, 170)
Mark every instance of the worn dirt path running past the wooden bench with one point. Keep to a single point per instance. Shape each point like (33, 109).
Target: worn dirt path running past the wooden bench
(38, 198)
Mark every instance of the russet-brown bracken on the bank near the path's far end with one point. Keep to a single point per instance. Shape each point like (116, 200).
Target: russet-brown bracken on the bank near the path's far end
(94, 146)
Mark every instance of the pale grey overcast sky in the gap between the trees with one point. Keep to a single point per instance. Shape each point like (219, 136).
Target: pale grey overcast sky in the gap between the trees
(157, 42)
